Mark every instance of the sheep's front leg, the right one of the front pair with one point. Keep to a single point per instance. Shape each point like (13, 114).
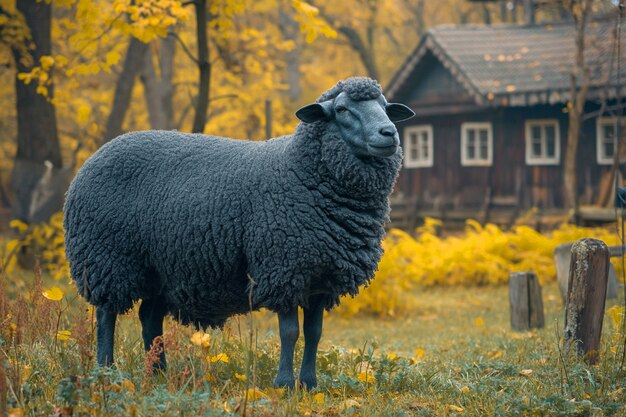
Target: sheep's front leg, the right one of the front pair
(313, 318)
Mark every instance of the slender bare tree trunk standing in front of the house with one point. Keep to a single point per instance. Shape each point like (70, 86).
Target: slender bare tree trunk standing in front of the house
(578, 96)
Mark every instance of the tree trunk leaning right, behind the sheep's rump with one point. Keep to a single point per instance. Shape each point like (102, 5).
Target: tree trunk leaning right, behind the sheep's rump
(124, 88)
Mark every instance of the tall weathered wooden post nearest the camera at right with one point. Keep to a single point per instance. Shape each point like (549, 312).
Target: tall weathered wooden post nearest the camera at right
(584, 309)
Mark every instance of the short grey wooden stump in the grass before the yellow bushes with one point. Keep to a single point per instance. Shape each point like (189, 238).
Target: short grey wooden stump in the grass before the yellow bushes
(526, 302)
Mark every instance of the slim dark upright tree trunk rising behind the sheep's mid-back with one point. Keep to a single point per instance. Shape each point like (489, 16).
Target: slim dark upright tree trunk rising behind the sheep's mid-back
(204, 67)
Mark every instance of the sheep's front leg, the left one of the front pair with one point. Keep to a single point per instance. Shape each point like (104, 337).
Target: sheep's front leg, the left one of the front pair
(289, 330)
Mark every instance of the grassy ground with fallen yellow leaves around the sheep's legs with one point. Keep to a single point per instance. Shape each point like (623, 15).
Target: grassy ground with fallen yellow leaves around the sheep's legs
(454, 355)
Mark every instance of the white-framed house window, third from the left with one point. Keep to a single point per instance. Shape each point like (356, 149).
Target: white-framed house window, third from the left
(543, 142)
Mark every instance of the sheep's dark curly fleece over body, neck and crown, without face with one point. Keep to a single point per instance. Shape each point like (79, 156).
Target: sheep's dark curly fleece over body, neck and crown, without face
(201, 221)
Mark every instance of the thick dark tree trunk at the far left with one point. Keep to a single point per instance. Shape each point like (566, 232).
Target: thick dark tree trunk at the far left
(38, 149)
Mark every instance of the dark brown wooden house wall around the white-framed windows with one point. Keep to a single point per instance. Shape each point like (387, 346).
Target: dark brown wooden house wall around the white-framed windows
(448, 185)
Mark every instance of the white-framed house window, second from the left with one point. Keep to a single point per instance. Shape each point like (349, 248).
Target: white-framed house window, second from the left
(476, 144)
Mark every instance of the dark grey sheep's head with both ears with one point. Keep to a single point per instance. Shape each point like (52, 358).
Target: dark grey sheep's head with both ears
(362, 115)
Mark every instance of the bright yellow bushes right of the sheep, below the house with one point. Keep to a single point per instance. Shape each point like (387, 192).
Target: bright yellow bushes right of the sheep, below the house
(479, 256)
